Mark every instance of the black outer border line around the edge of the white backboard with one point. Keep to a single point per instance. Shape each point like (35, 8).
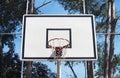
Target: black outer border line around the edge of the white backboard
(65, 58)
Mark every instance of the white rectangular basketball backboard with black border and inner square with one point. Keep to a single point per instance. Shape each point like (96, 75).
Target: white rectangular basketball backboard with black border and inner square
(39, 29)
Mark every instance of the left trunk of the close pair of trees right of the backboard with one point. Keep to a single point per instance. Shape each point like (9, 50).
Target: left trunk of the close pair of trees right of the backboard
(106, 51)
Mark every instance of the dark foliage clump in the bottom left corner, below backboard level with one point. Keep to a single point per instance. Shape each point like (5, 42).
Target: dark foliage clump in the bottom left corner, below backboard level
(13, 65)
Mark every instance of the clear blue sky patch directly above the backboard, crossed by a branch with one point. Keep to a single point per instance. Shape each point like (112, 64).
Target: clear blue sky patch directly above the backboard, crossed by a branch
(51, 8)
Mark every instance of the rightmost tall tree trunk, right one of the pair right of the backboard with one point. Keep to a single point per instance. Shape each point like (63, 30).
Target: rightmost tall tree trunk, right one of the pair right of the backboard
(112, 37)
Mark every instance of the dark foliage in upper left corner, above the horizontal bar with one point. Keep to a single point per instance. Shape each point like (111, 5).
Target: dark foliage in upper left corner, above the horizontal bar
(11, 12)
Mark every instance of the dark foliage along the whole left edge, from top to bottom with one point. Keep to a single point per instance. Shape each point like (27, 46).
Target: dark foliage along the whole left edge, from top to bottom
(11, 12)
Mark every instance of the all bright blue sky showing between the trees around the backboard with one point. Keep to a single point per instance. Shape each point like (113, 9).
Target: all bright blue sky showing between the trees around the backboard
(55, 8)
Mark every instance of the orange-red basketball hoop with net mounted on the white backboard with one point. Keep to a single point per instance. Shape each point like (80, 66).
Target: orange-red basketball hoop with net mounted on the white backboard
(58, 46)
